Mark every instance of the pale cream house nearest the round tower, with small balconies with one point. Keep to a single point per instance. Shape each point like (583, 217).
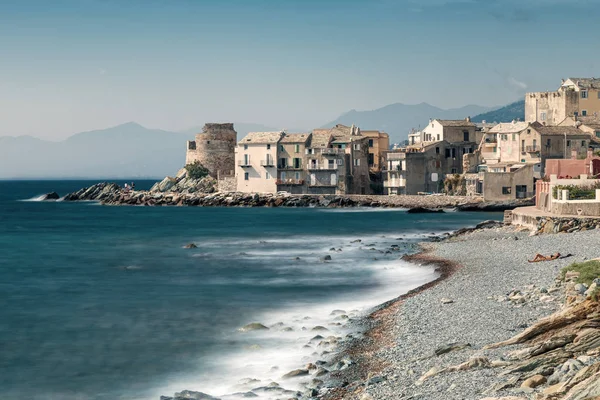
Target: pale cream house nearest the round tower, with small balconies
(256, 162)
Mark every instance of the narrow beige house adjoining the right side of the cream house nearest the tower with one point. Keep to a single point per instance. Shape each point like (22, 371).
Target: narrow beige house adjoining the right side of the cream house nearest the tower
(291, 162)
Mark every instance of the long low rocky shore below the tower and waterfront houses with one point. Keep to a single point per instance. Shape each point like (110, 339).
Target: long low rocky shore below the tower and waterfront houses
(112, 194)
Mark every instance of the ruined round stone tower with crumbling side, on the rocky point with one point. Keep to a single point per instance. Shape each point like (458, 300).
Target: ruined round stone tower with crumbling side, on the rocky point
(214, 148)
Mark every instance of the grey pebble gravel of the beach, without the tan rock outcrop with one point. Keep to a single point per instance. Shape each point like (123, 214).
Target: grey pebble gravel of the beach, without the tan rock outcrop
(399, 347)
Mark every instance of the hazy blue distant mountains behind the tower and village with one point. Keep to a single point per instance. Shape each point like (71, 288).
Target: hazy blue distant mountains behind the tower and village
(133, 151)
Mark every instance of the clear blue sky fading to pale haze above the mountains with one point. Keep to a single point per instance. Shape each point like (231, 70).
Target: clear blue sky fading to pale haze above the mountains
(68, 66)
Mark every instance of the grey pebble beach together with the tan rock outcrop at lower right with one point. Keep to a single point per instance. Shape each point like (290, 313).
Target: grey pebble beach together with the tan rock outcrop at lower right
(498, 328)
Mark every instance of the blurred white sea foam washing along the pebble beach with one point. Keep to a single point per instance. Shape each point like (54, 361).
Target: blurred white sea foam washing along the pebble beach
(267, 355)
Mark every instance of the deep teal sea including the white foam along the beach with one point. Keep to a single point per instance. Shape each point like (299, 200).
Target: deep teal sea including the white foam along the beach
(105, 302)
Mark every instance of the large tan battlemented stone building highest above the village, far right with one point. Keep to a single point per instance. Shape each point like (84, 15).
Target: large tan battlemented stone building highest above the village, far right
(574, 97)
